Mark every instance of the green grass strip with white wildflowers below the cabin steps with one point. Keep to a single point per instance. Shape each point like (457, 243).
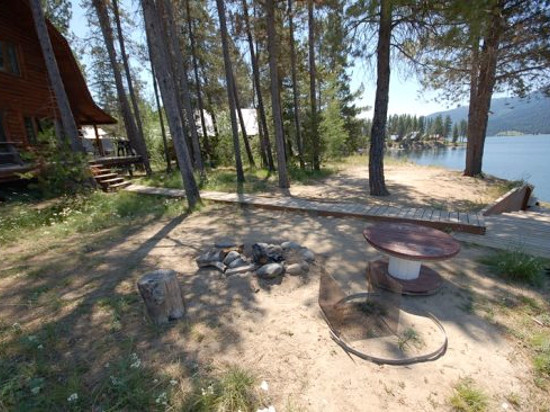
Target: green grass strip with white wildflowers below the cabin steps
(83, 213)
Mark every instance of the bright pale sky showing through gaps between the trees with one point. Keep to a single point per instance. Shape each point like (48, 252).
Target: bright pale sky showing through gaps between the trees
(406, 96)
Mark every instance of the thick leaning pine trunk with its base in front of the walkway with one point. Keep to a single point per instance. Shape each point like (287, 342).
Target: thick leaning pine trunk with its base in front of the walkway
(165, 77)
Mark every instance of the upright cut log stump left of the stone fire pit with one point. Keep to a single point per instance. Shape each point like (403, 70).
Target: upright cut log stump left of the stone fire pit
(162, 295)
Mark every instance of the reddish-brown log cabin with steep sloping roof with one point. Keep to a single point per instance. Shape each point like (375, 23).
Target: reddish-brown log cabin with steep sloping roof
(27, 101)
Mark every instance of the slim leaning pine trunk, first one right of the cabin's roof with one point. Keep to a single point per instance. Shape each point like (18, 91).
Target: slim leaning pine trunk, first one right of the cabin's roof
(129, 122)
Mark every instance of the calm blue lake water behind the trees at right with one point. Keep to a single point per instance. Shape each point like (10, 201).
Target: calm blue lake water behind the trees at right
(510, 157)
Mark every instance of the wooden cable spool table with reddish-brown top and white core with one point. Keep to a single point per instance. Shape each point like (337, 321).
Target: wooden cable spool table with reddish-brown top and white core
(407, 246)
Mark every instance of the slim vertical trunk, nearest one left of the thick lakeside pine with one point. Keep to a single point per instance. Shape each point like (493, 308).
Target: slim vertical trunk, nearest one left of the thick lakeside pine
(312, 89)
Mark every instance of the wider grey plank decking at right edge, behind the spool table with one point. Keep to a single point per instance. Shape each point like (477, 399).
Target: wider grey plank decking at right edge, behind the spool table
(528, 230)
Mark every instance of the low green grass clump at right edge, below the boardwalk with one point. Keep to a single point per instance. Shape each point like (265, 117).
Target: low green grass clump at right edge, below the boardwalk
(516, 264)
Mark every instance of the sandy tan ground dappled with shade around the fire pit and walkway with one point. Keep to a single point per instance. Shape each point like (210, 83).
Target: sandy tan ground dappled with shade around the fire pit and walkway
(278, 333)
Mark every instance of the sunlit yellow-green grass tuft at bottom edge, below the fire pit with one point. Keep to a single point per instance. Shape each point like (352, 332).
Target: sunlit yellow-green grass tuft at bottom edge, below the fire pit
(231, 393)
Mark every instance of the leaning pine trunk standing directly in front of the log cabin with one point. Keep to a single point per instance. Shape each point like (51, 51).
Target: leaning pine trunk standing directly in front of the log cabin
(67, 119)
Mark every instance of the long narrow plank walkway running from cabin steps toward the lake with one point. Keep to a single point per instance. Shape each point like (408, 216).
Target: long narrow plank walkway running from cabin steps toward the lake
(455, 221)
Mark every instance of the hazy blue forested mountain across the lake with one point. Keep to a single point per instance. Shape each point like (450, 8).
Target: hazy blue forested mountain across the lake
(530, 115)
